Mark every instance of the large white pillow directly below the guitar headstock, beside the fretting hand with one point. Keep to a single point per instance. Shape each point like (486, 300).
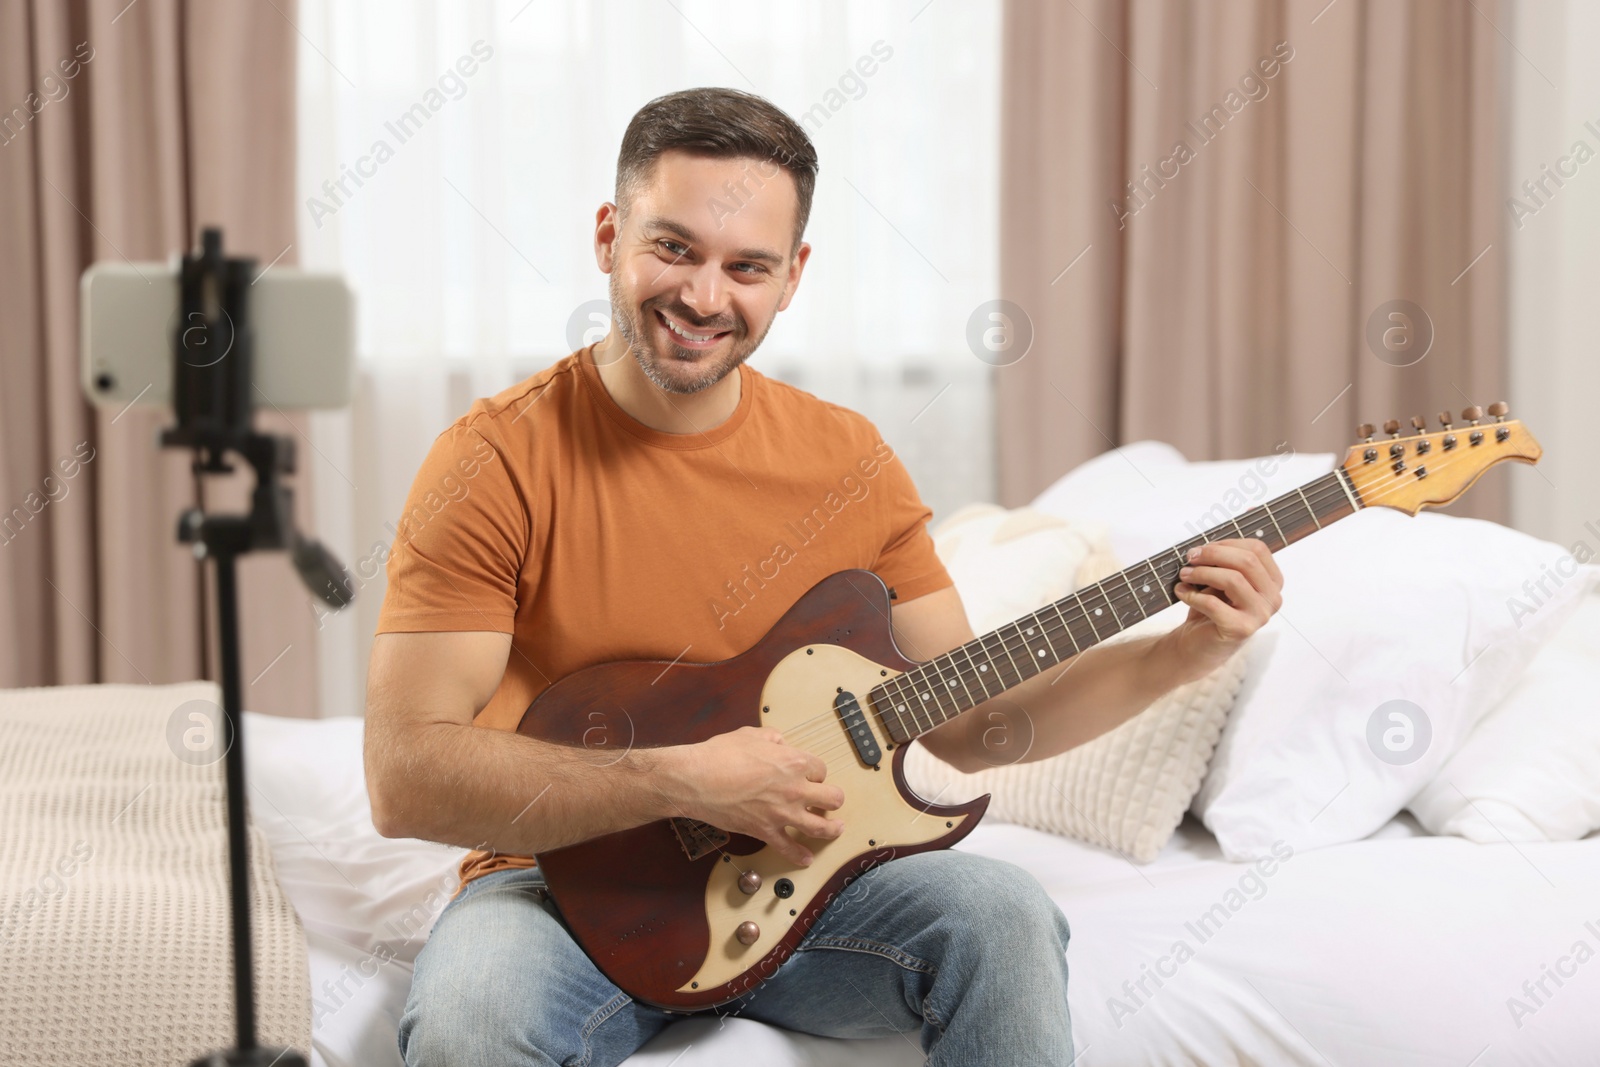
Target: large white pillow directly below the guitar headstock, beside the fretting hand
(1377, 609)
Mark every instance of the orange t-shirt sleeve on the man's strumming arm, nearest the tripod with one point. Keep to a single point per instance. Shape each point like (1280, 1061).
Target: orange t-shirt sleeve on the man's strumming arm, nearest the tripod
(460, 545)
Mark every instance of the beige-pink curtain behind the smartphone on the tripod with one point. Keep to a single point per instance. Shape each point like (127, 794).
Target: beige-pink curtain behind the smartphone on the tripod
(129, 127)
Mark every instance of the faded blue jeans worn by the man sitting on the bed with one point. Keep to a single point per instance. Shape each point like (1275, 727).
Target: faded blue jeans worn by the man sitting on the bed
(962, 949)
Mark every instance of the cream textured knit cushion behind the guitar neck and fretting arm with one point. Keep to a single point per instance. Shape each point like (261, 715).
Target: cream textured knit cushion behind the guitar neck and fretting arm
(1127, 789)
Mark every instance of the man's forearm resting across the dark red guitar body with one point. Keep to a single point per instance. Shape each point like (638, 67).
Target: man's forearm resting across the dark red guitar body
(492, 789)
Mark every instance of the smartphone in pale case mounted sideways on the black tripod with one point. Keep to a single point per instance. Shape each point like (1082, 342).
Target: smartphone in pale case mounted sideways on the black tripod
(303, 326)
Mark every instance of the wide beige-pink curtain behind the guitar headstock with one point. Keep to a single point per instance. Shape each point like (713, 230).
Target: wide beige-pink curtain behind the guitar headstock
(1223, 302)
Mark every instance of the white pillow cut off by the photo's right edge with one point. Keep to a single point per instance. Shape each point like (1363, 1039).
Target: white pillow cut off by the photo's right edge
(1532, 769)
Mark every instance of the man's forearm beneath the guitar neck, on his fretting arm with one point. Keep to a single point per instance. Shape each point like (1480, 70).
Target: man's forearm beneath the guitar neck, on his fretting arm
(1060, 709)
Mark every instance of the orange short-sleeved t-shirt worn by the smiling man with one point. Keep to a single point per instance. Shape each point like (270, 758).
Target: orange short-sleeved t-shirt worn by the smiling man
(551, 514)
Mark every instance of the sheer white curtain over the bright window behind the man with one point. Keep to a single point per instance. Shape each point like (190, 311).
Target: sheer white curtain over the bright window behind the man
(452, 159)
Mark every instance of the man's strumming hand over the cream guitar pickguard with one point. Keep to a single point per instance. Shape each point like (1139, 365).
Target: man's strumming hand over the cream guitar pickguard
(753, 781)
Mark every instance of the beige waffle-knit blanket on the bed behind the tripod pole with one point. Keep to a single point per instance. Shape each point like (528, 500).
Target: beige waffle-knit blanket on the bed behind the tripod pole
(114, 895)
